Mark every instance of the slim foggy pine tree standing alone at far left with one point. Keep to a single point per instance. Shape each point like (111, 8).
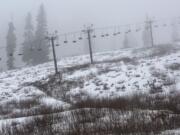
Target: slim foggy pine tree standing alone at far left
(11, 45)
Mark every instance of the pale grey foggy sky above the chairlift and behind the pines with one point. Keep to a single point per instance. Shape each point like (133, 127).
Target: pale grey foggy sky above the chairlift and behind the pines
(71, 15)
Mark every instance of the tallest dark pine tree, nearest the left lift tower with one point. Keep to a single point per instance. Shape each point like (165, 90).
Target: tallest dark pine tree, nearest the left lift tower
(42, 50)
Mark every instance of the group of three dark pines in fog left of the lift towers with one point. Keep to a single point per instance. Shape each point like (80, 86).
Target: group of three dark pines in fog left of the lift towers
(34, 47)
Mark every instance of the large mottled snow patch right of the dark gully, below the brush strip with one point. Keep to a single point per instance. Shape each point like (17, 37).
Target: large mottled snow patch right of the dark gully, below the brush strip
(121, 78)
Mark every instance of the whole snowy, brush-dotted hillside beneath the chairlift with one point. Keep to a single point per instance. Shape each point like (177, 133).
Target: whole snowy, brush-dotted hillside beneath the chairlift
(114, 81)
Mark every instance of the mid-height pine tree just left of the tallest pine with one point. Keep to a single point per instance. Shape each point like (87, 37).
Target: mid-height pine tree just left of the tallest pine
(28, 40)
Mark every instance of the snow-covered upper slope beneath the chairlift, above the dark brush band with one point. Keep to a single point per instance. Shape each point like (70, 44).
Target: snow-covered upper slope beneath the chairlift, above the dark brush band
(114, 74)
